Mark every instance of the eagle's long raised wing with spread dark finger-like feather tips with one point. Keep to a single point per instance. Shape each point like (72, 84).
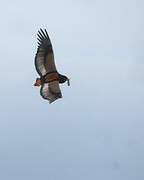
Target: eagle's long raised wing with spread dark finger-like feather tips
(44, 59)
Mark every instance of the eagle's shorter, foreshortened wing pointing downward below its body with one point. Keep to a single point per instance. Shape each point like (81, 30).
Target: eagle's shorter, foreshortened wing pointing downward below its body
(51, 91)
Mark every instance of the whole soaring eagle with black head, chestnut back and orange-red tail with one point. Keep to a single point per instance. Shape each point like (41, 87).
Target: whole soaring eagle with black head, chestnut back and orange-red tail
(49, 79)
